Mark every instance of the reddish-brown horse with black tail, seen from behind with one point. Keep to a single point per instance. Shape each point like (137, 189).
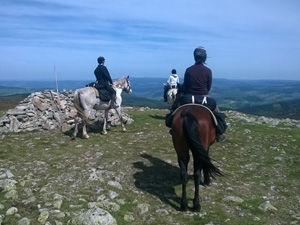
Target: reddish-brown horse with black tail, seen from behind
(194, 128)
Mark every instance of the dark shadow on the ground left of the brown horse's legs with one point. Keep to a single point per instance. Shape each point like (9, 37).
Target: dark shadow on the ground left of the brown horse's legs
(158, 179)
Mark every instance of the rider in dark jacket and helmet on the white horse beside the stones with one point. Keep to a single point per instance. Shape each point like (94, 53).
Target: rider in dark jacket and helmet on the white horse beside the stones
(104, 80)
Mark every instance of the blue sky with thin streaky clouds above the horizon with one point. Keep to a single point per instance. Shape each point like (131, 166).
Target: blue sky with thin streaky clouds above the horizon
(245, 39)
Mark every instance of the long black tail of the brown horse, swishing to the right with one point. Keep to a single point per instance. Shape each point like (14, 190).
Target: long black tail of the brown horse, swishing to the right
(192, 135)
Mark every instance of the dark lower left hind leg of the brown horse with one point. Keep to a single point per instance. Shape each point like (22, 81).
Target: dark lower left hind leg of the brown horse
(183, 162)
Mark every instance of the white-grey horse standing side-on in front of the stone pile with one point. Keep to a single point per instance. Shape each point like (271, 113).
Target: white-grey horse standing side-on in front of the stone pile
(85, 99)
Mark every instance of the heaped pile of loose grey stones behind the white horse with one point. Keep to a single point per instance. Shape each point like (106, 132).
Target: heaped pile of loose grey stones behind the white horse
(48, 110)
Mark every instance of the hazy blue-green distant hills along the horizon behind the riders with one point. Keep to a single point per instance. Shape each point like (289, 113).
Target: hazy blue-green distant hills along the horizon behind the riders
(276, 98)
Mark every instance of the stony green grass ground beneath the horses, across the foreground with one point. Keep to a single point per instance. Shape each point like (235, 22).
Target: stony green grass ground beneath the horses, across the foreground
(260, 163)
